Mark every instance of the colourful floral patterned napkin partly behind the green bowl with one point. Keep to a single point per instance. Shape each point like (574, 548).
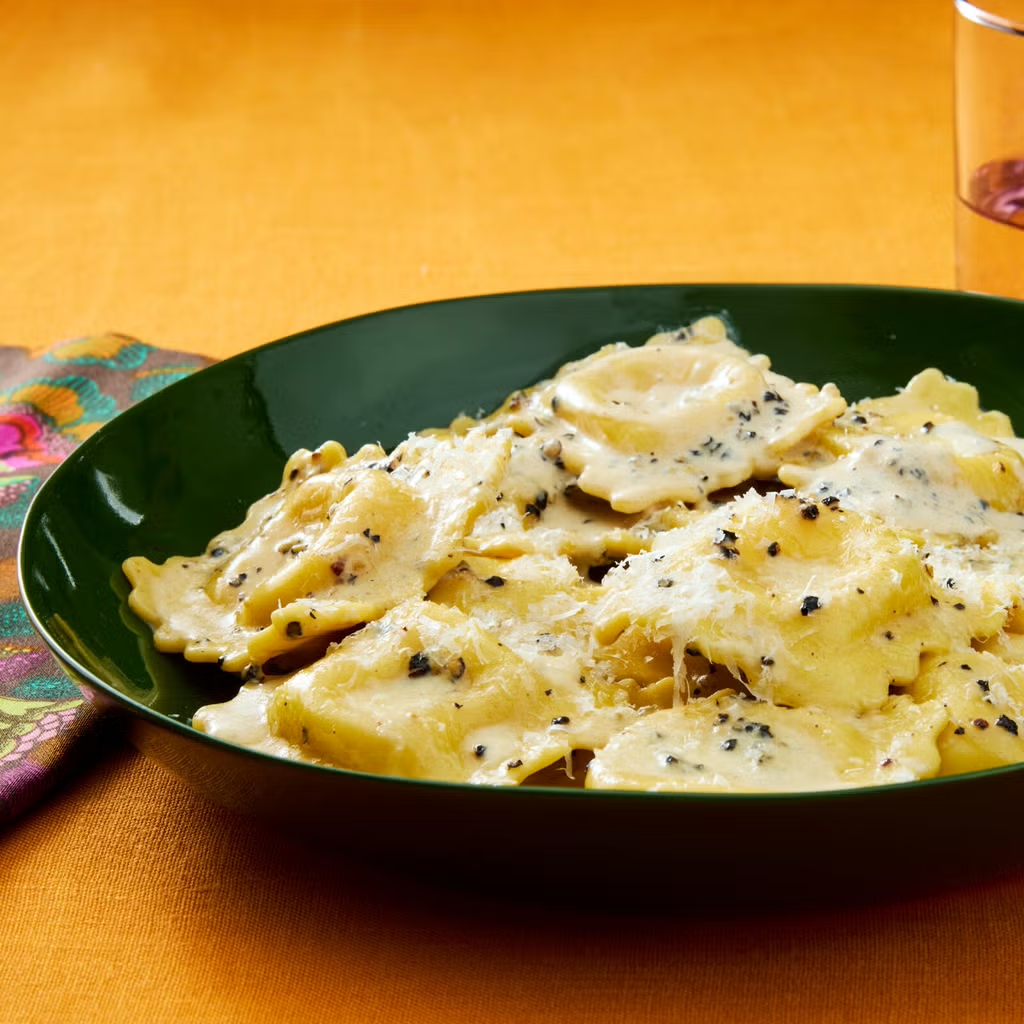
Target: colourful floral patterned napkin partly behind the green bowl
(48, 406)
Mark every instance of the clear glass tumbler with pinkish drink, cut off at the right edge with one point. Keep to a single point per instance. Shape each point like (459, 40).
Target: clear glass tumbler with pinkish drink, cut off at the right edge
(990, 92)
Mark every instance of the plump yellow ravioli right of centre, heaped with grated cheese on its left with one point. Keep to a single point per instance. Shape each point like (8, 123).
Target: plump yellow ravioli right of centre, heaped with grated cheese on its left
(806, 604)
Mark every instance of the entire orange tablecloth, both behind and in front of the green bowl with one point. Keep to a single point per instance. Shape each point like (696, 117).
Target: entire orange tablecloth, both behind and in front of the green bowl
(214, 176)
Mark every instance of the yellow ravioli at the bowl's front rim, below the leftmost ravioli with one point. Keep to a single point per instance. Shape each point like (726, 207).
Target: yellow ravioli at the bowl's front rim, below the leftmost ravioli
(428, 693)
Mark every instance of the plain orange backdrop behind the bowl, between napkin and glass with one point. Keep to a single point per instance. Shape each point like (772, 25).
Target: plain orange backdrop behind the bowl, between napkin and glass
(219, 174)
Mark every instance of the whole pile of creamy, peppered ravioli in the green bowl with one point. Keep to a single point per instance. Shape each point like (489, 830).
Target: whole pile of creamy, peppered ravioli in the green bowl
(668, 569)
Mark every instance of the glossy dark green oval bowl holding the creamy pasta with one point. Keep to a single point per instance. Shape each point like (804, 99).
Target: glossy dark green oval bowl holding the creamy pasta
(169, 474)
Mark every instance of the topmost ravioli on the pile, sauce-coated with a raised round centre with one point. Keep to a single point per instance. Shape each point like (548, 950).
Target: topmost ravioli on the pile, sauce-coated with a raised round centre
(672, 421)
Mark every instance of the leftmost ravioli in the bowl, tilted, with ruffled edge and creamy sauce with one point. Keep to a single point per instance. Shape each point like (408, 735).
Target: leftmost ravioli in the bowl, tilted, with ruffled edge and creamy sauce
(339, 543)
